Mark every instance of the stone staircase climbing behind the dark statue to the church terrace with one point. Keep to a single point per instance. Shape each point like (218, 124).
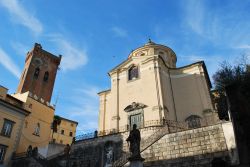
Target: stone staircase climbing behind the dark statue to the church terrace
(168, 127)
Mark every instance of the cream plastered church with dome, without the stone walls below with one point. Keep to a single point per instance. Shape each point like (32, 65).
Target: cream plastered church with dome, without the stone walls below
(148, 88)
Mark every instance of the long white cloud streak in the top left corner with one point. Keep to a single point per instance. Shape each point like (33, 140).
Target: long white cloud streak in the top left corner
(22, 16)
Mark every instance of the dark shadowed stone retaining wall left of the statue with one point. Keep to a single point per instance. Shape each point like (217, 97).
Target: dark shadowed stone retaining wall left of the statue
(94, 152)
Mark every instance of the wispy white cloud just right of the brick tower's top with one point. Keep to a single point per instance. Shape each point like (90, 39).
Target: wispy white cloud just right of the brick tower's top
(72, 57)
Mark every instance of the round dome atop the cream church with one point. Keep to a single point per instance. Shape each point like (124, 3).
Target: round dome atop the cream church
(152, 49)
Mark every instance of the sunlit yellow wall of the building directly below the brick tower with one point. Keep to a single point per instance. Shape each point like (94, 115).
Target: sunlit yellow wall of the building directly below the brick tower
(40, 113)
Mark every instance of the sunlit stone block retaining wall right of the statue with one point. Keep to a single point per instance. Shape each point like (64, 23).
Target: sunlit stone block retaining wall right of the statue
(187, 148)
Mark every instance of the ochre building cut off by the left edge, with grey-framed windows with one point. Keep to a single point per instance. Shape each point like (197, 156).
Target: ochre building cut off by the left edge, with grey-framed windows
(12, 120)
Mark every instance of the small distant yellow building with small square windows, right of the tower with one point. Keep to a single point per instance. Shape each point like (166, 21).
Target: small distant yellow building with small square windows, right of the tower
(65, 132)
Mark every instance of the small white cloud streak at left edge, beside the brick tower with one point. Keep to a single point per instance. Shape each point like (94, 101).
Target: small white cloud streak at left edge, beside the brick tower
(7, 62)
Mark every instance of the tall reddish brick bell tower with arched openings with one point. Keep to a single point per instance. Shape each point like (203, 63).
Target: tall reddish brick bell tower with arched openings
(39, 73)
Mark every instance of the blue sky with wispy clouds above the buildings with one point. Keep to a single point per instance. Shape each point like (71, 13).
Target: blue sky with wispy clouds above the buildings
(94, 36)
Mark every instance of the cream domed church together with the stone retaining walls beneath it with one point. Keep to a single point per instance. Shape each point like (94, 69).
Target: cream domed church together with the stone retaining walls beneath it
(172, 109)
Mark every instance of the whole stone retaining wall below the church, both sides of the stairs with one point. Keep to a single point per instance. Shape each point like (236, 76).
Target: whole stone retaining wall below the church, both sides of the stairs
(196, 147)
